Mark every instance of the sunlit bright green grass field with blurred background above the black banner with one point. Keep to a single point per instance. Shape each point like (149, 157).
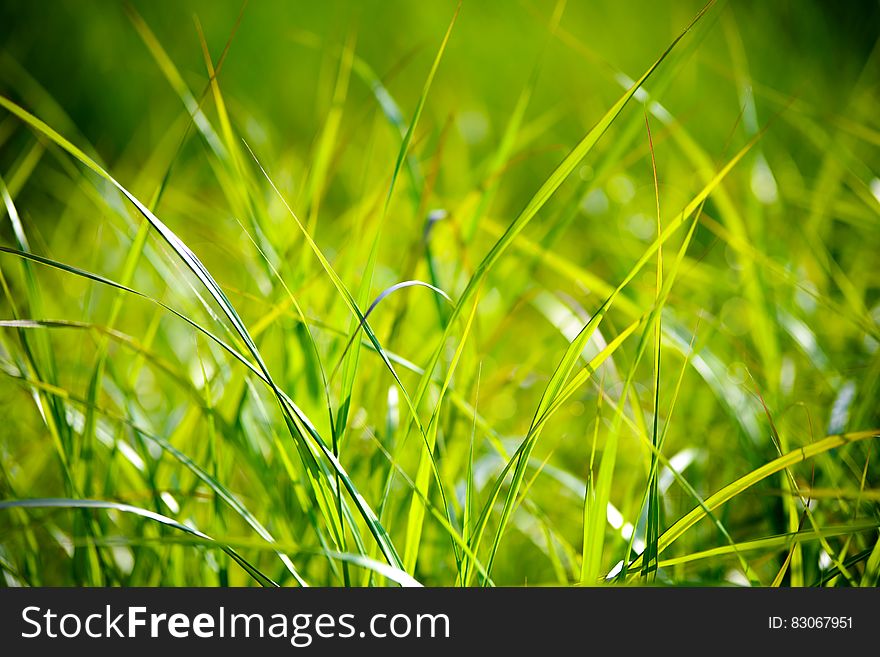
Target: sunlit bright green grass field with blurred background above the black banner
(396, 293)
